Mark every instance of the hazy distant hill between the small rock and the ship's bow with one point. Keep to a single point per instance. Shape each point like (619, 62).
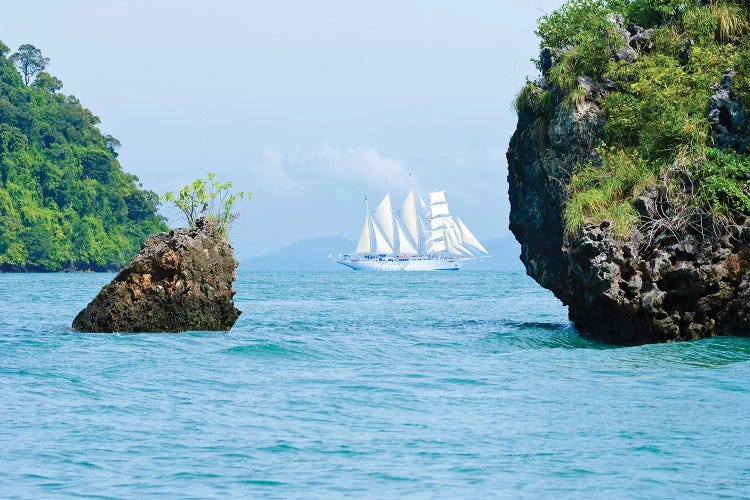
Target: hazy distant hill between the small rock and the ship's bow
(306, 255)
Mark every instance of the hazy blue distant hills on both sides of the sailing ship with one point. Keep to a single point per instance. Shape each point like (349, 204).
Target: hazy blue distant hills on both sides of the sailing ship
(312, 255)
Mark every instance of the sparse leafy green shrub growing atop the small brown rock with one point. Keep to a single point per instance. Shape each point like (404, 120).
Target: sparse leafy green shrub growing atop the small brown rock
(209, 199)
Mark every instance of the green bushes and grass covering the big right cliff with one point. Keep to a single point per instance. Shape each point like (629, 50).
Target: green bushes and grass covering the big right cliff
(657, 130)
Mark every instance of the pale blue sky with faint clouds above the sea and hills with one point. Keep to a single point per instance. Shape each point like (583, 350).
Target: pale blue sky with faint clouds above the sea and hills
(309, 105)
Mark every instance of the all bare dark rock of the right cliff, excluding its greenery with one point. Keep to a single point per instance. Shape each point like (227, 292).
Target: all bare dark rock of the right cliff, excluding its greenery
(631, 292)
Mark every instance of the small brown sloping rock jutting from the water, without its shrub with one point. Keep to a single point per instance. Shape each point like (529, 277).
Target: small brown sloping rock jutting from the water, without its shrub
(179, 281)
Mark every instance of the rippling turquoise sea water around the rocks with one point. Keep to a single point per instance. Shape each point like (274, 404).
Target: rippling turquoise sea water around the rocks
(453, 385)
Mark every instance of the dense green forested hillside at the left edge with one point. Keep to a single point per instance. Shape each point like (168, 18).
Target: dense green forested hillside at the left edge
(65, 201)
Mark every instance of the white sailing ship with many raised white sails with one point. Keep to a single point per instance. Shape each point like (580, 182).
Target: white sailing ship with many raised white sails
(417, 237)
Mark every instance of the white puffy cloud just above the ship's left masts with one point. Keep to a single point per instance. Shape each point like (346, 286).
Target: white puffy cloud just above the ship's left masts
(359, 163)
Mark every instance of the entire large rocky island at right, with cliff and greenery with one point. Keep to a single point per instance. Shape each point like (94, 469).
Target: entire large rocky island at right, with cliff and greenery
(629, 171)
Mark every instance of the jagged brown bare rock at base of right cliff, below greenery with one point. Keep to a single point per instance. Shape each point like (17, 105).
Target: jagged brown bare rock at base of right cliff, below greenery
(685, 290)
